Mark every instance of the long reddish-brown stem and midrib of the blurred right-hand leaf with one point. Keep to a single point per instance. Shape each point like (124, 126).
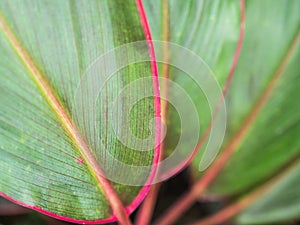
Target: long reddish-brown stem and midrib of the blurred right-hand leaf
(189, 198)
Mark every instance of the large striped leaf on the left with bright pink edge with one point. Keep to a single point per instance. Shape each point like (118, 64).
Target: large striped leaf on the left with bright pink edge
(41, 165)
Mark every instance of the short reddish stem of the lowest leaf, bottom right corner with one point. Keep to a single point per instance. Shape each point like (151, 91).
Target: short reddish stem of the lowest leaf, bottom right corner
(244, 202)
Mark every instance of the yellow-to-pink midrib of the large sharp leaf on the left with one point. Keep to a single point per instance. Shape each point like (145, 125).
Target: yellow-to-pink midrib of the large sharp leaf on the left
(64, 117)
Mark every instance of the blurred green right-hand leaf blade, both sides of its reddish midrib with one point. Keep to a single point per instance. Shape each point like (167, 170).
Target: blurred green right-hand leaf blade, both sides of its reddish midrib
(271, 141)
